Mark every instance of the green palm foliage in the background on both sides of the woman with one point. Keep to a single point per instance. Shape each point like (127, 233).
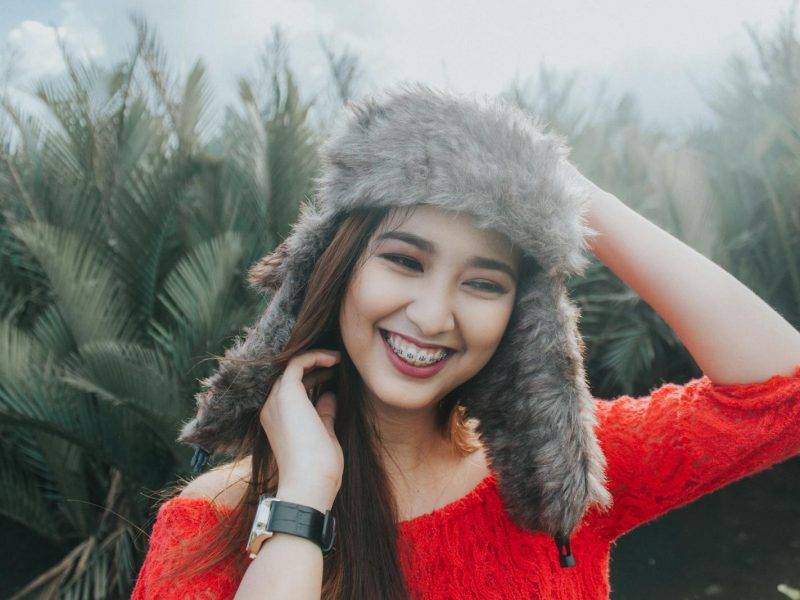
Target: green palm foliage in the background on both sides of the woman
(127, 225)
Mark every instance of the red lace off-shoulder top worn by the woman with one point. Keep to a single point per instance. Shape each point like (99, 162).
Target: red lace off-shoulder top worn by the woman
(663, 451)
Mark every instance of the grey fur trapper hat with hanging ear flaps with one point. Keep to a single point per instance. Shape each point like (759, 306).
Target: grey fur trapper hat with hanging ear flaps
(489, 159)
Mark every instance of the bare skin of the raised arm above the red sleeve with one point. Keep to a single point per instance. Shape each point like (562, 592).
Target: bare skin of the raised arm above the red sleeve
(732, 334)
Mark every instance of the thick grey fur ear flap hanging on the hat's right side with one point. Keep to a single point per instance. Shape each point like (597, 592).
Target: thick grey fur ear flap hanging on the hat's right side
(537, 415)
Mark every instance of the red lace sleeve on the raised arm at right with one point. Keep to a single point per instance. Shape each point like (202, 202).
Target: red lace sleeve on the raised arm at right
(680, 442)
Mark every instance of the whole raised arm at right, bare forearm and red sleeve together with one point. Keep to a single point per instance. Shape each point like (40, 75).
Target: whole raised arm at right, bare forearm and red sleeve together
(681, 442)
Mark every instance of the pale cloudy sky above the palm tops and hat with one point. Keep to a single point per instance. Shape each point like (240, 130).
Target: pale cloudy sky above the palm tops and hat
(669, 54)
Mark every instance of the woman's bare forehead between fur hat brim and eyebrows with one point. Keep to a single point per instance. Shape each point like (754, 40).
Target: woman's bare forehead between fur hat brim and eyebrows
(443, 226)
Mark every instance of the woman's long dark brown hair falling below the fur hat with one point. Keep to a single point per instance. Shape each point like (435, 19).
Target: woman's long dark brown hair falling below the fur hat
(364, 562)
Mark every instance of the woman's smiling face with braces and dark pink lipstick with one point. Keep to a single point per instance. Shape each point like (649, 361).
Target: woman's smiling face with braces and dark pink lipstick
(436, 280)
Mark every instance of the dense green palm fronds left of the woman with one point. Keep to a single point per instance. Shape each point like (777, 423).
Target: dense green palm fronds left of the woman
(126, 227)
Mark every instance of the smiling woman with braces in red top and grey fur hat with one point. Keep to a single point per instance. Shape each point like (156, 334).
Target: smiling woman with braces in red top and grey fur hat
(413, 308)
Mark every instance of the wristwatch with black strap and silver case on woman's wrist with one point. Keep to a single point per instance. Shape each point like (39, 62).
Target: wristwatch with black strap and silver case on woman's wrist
(274, 515)
